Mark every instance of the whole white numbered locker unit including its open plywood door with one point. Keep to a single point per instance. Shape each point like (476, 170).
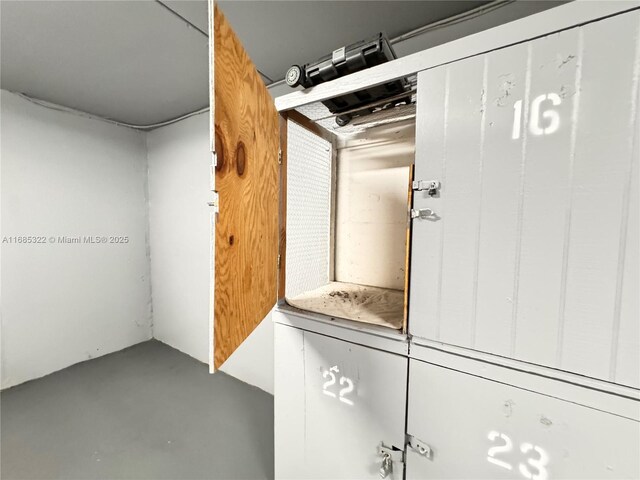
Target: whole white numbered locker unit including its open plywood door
(512, 352)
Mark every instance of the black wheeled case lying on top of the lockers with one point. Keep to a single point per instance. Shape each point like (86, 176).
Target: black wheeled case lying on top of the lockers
(344, 61)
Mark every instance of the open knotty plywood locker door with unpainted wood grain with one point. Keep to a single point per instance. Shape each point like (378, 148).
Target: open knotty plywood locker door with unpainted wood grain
(247, 180)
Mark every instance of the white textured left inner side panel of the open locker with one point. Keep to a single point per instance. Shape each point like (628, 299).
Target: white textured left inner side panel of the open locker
(309, 159)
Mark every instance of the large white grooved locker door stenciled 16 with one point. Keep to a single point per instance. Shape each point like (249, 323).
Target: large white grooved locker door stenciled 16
(533, 253)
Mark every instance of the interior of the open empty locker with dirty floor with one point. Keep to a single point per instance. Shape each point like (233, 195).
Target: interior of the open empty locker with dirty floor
(348, 194)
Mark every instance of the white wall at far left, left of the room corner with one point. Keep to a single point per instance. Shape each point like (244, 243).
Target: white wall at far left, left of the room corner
(65, 175)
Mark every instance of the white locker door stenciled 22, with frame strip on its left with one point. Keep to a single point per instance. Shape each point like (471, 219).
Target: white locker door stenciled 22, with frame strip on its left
(334, 403)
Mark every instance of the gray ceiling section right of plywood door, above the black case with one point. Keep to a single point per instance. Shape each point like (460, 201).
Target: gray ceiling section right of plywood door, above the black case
(279, 33)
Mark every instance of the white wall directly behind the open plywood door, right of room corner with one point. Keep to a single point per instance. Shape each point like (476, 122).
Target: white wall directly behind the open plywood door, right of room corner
(179, 218)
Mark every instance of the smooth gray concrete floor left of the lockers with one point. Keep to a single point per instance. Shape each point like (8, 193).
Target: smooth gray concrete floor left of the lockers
(147, 412)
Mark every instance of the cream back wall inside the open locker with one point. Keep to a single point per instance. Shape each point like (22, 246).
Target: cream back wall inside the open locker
(371, 213)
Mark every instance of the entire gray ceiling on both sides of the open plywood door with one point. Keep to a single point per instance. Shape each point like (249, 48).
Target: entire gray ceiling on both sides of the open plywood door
(138, 62)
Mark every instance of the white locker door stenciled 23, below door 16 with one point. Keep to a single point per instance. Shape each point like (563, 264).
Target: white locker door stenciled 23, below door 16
(478, 428)
